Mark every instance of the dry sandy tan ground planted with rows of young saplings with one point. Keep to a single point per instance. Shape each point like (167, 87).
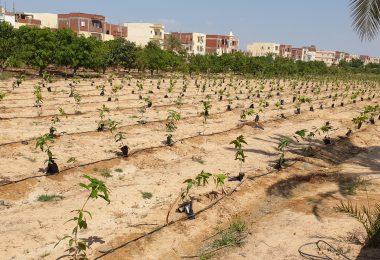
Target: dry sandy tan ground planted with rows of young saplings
(279, 218)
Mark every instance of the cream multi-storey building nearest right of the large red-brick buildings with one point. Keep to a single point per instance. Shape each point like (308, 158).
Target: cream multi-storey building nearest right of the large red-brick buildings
(143, 33)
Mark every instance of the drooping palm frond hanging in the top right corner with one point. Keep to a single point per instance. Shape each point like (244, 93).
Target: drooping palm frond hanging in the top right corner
(366, 18)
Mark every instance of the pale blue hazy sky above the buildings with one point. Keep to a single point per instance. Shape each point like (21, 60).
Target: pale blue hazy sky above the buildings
(325, 23)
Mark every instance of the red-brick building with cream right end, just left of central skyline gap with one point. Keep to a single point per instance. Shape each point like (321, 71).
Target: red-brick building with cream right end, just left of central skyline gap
(220, 44)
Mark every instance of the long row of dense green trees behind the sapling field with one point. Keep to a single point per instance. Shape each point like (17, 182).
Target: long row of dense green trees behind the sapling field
(41, 48)
